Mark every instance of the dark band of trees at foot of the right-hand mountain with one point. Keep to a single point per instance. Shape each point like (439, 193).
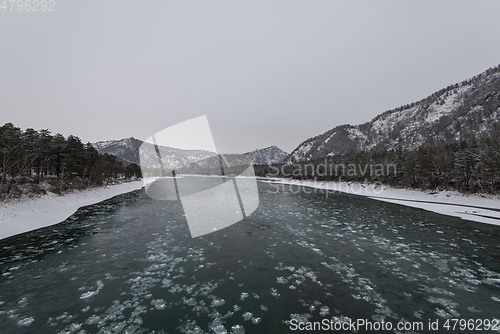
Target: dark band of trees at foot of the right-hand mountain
(468, 166)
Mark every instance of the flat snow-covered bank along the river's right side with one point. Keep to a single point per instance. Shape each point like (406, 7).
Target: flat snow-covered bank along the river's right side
(483, 209)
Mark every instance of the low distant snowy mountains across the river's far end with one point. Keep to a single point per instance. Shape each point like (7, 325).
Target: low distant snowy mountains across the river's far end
(127, 151)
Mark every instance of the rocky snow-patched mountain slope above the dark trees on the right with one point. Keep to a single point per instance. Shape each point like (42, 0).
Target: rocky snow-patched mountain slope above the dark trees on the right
(466, 110)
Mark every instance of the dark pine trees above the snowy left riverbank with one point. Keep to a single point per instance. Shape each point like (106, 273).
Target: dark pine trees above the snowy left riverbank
(34, 162)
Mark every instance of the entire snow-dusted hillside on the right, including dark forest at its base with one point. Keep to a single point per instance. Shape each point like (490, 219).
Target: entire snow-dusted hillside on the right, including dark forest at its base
(449, 140)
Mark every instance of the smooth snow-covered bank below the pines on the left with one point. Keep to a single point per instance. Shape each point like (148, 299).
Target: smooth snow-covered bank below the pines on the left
(30, 214)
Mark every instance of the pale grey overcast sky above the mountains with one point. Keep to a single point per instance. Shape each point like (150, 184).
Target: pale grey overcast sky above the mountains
(264, 72)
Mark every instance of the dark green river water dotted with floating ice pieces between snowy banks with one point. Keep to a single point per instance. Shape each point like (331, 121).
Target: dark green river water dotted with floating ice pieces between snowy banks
(129, 265)
